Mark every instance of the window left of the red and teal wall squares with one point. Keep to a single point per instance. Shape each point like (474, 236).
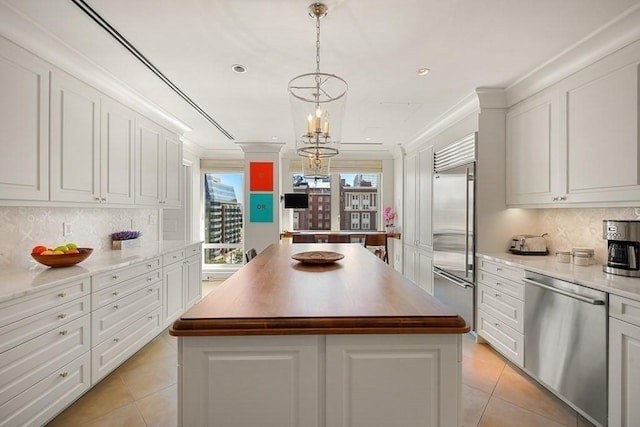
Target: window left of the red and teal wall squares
(223, 218)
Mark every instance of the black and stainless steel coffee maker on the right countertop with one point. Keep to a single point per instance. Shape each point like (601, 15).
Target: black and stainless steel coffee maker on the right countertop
(623, 247)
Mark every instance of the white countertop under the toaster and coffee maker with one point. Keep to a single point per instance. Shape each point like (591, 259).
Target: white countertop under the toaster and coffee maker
(591, 276)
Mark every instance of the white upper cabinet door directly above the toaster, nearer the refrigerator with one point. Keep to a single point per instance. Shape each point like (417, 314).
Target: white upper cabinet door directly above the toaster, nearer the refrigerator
(531, 149)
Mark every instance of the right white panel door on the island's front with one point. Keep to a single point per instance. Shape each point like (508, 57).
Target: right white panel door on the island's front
(393, 380)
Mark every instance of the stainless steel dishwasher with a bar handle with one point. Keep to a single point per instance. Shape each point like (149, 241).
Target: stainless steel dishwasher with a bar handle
(565, 348)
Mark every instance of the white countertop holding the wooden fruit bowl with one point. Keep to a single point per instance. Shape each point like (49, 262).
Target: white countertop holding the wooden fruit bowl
(19, 282)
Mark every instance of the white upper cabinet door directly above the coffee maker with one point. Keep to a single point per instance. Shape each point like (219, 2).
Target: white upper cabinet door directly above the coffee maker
(603, 143)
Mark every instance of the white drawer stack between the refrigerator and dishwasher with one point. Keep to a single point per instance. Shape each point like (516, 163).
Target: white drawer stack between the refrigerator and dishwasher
(500, 303)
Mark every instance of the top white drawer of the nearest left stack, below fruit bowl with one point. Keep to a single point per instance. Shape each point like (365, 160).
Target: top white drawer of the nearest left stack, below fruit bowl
(21, 308)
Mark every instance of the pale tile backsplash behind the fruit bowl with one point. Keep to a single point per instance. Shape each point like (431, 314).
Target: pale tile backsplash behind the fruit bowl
(22, 228)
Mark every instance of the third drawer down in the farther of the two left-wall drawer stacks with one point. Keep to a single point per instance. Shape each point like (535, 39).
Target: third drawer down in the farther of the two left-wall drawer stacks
(111, 318)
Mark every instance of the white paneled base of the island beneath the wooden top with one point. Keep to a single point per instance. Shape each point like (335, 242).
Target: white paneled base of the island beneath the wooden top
(316, 380)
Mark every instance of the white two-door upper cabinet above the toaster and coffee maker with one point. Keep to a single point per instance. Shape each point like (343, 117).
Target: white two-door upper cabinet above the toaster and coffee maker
(578, 141)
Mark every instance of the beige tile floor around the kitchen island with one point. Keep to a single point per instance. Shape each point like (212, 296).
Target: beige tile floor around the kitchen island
(142, 392)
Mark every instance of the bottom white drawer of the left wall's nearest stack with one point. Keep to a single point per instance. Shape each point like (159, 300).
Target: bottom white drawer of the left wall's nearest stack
(40, 403)
